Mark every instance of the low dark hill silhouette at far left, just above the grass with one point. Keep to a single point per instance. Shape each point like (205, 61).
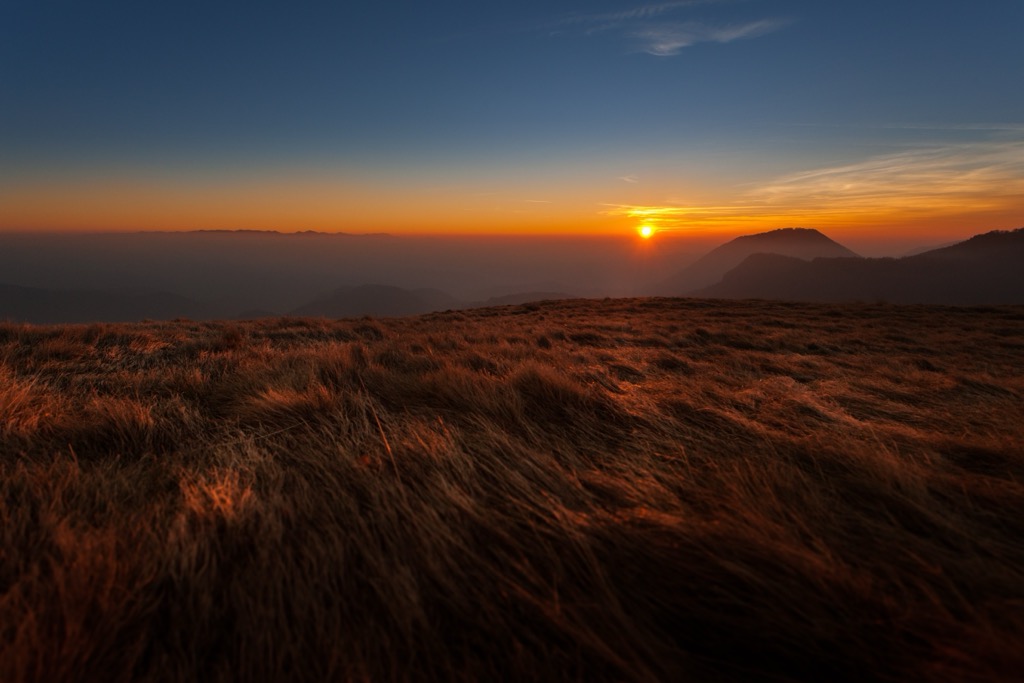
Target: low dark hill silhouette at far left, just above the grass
(29, 305)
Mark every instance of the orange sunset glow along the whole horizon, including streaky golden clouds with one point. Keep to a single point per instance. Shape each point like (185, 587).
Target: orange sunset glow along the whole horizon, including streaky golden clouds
(935, 195)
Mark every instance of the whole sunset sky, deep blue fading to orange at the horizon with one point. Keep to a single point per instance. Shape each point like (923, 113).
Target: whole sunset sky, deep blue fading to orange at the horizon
(898, 120)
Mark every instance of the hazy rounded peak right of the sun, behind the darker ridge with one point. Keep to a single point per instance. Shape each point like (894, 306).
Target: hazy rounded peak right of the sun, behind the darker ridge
(801, 243)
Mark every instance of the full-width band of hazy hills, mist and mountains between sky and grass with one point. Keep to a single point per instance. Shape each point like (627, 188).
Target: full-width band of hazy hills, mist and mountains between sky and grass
(246, 276)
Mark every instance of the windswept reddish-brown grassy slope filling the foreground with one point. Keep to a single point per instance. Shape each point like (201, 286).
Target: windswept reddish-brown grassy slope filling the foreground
(627, 490)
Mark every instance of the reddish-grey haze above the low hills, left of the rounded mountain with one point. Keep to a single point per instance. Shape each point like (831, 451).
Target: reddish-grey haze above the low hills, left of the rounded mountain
(255, 271)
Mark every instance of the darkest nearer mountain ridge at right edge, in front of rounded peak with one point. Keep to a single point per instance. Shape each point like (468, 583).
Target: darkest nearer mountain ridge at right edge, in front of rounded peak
(986, 270)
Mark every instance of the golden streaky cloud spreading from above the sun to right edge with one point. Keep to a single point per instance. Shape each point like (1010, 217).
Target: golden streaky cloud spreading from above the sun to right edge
(919, 184)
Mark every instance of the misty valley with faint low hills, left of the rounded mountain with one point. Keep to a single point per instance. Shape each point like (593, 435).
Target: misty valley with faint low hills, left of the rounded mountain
(228, 275)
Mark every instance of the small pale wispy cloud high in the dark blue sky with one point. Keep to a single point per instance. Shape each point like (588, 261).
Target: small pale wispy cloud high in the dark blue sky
(658, 33)
